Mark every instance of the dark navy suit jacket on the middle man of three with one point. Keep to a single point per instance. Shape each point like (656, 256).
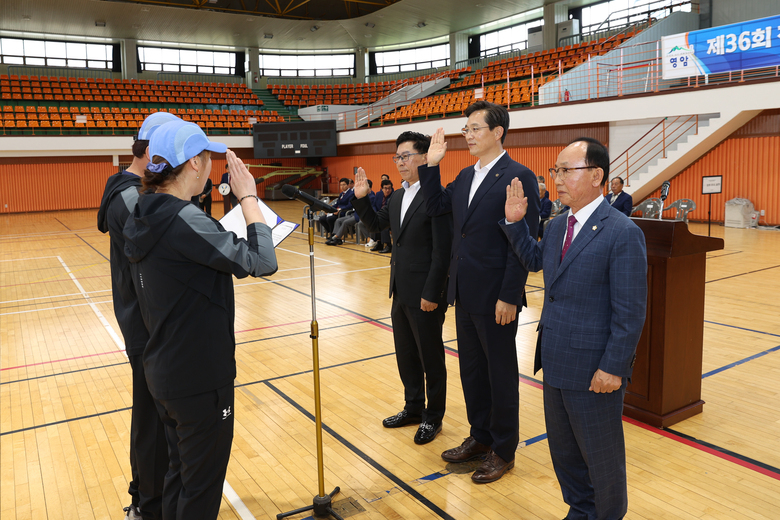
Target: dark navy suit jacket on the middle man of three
(483, 268)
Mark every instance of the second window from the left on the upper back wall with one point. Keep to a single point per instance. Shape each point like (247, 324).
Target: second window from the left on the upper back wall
(187, 60)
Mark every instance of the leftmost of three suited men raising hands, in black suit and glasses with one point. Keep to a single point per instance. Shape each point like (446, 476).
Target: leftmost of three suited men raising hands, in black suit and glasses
(418, 276)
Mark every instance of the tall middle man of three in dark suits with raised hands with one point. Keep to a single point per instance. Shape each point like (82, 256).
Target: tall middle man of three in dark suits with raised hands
(487, 285)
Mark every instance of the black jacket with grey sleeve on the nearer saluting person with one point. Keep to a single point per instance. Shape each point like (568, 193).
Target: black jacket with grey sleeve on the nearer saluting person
(182, 262)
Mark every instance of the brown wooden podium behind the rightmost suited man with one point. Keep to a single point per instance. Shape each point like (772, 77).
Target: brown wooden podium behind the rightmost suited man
(666, 384)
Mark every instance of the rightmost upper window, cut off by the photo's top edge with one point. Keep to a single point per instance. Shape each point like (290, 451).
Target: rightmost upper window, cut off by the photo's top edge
(618, 13)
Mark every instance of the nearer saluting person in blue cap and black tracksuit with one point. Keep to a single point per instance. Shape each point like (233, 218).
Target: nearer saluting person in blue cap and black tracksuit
(182, 263)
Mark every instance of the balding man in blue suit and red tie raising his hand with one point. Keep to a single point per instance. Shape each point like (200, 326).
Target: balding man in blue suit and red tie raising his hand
(595, 279)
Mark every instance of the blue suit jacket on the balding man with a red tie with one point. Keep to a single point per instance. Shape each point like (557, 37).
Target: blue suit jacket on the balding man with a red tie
(594, 301)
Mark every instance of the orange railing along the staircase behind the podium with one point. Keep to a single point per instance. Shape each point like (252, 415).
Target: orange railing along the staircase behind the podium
(653, 144)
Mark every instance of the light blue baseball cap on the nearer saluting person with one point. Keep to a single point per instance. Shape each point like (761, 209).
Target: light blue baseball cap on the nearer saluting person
(178, 141)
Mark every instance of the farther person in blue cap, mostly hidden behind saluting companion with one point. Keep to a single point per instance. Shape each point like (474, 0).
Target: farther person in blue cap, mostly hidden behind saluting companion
(148, 449)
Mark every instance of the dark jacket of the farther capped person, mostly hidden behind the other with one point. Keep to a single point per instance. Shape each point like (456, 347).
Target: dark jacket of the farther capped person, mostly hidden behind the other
(119, 198)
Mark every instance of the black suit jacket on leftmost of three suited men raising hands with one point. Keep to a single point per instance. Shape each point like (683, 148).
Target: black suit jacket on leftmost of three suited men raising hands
(421, 247)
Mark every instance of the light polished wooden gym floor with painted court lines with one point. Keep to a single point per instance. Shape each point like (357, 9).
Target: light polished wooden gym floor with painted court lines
(65, 392)
